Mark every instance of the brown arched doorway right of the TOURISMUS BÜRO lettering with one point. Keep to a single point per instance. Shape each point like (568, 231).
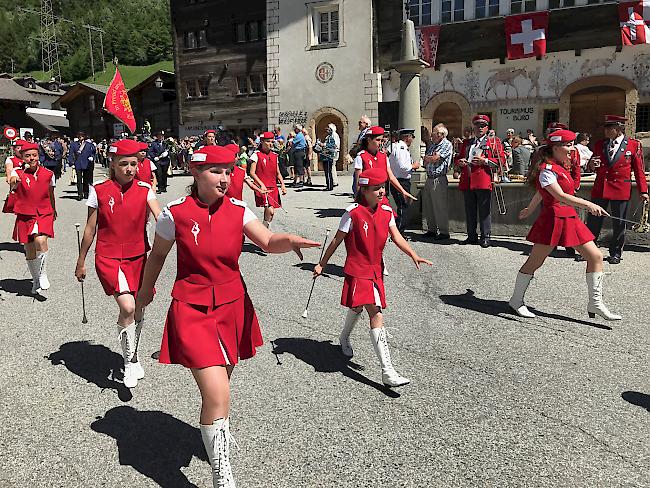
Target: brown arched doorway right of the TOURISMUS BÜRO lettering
(589, 106)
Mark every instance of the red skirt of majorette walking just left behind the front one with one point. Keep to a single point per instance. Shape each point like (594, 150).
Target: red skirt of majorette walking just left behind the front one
(108, 272)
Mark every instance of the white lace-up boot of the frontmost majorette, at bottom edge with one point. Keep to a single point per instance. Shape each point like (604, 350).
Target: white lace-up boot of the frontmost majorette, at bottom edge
(216, 439)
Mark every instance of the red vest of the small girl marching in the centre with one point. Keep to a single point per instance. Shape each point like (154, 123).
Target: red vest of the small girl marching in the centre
(365, 242)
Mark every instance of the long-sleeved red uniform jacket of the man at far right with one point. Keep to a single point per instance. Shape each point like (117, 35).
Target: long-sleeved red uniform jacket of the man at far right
(613, 177)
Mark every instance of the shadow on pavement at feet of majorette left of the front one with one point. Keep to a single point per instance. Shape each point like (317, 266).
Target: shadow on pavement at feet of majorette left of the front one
(95, 363)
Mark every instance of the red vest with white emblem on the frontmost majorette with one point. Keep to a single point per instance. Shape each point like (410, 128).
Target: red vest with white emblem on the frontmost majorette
(208, 242)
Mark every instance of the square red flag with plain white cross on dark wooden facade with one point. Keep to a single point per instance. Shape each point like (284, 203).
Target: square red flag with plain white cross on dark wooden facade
(526, 35)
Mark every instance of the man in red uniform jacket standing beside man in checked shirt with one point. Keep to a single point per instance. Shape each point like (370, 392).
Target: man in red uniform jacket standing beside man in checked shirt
(480, 158)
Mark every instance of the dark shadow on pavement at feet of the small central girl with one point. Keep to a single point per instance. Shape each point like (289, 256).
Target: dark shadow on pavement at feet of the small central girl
(326, 357)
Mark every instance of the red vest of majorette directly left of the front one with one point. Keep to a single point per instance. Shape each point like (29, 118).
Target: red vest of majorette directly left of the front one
(121, 219)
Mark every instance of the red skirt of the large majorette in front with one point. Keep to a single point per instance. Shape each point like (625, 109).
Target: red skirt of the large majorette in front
(197, 336)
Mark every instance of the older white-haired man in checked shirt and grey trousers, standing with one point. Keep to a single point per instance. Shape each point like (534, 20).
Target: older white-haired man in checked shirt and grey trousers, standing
(434, 195)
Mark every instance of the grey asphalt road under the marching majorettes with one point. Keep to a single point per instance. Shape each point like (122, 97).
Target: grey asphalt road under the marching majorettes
(560, 400)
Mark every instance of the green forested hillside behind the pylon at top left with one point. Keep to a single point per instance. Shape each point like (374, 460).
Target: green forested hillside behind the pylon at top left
(136, 31)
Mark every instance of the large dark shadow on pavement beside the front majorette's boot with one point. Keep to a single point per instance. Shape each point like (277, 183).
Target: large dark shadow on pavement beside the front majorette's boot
(154, 443)
